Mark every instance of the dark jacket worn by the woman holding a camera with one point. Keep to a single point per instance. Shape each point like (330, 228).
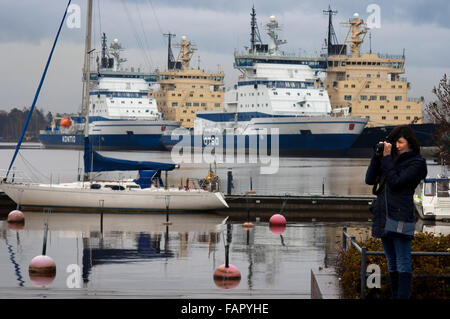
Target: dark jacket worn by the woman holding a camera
(401, 176)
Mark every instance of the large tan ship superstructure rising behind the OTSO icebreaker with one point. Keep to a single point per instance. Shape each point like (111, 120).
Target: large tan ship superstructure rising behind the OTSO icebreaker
(370, 84)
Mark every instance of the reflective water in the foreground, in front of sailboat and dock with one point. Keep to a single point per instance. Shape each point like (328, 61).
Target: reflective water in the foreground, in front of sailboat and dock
(138, 254)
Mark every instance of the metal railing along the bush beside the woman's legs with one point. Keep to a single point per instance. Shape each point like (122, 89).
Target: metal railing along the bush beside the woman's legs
(364, 253)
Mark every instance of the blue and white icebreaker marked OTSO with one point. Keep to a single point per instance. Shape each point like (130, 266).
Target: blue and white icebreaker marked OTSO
(283, 92)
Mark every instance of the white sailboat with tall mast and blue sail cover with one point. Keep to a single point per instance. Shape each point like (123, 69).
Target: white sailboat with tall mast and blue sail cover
(134, 194)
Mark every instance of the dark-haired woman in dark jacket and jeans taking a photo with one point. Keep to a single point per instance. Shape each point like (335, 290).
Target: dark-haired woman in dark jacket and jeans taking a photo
(397, 168)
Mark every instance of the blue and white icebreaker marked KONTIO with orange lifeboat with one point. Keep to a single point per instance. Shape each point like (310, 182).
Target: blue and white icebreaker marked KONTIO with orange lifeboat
(123, 112)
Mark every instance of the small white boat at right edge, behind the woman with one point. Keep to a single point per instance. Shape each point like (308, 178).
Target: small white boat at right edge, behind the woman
(433, 200)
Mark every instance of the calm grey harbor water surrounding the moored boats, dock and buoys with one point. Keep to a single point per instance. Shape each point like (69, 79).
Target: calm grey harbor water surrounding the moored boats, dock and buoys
(138, 255)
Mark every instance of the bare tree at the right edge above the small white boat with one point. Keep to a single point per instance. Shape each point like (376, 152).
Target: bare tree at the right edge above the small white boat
(439, 111)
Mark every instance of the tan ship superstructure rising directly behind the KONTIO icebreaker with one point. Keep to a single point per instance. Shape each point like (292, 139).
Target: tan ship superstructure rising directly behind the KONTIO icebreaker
(184, 91)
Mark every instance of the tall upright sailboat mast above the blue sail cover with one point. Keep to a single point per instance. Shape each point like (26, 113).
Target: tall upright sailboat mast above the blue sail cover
(87, 69)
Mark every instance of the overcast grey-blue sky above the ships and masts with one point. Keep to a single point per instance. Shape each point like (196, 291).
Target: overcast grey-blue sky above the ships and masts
(28, 28)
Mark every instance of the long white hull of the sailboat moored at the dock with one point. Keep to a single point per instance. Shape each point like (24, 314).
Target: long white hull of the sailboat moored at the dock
(80, 195)
